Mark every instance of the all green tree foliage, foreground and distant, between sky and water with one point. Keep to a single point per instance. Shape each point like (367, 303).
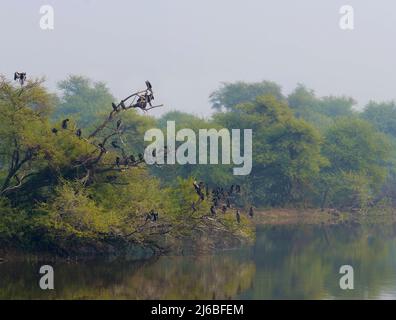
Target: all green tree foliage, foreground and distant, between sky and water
(63, 192)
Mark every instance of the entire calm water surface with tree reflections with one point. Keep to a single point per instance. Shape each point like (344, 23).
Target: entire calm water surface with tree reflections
(286, 262)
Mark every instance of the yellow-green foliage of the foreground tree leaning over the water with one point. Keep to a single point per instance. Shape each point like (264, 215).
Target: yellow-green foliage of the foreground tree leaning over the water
(63, 193)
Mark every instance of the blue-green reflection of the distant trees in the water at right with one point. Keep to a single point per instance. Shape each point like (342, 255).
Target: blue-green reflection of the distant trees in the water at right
(303, 262)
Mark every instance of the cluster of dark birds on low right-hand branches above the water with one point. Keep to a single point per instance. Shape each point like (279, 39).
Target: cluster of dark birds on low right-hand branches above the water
(221, 199)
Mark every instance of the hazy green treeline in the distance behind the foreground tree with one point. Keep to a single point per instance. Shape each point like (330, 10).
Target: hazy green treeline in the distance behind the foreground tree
(307, 150)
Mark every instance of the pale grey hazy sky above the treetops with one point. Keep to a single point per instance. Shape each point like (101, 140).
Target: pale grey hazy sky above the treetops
(186, 48)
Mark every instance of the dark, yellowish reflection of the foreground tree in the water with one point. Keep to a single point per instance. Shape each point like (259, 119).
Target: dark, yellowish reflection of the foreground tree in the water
(203, 277)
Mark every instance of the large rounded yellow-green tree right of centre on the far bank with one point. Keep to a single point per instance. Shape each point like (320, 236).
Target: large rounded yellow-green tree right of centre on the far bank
(286, 150)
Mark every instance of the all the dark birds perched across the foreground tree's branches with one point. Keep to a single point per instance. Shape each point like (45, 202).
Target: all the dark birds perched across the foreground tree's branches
(221, 198)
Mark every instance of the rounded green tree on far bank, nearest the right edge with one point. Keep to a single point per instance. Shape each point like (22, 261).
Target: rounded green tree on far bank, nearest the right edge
(358, 158)
